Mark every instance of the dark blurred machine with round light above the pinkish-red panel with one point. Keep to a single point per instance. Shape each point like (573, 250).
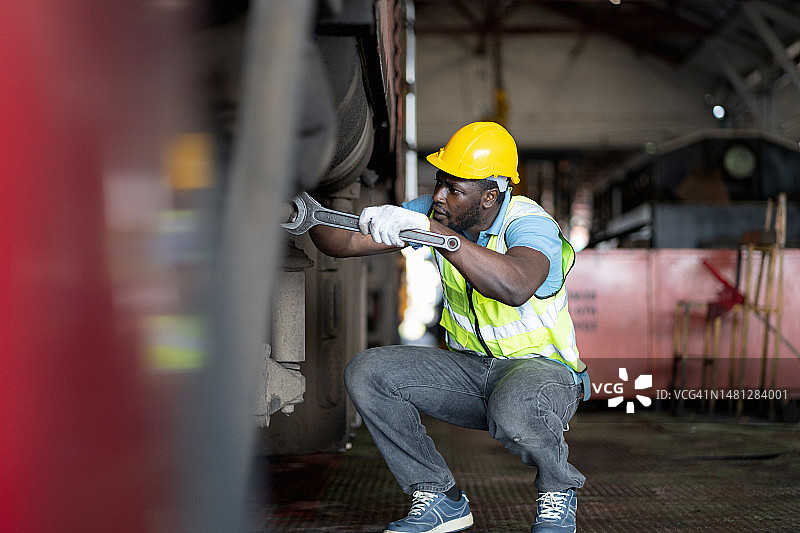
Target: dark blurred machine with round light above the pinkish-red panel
(701, 191)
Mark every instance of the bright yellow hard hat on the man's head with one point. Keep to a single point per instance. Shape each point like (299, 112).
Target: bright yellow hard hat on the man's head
(477, 151)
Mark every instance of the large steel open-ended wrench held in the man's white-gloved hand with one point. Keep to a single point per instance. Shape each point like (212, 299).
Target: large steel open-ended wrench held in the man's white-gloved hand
(308, 212)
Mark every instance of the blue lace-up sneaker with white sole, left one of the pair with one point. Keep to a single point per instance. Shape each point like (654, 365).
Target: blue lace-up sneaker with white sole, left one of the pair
(433, 512)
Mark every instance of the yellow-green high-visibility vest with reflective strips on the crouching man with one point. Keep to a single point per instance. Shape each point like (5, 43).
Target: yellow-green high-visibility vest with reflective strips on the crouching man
(539, 327)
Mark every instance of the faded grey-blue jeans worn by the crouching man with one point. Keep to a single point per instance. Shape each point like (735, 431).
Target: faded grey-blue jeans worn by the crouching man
(525, 404)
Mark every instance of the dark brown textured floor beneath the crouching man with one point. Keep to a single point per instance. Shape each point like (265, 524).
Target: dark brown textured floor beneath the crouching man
(646, 472)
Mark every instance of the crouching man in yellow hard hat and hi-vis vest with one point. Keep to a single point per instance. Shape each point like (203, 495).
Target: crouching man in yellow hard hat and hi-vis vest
(512, 365)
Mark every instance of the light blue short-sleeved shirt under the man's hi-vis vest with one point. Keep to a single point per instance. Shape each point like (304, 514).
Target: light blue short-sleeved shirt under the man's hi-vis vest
(538, 233)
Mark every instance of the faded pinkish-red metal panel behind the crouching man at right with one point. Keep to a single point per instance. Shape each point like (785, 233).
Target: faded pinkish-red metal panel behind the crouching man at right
(623, 304)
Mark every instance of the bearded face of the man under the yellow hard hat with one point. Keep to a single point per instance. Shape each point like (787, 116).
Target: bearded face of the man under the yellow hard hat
(456, 202)
